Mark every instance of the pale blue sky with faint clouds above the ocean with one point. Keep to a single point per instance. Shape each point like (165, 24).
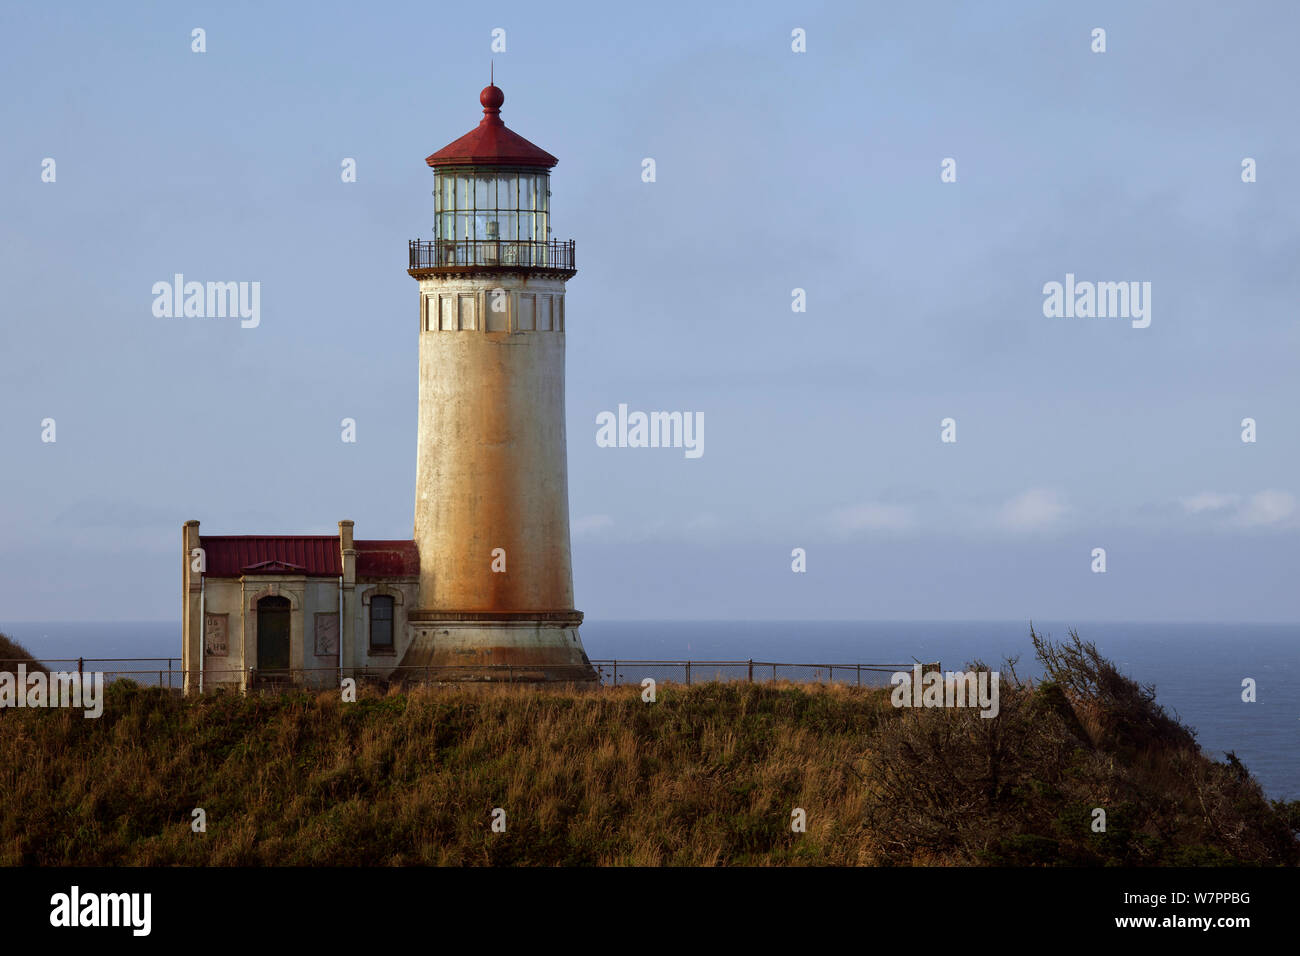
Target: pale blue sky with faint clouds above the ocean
(775, 171)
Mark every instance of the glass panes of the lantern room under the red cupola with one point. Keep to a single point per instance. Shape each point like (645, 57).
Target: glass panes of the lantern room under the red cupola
(492, 205)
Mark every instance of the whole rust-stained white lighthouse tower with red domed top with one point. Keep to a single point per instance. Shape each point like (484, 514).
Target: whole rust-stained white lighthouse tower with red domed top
(492, 521)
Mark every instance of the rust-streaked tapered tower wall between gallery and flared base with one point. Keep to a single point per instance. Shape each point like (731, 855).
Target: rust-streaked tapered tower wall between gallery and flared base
(492, 474)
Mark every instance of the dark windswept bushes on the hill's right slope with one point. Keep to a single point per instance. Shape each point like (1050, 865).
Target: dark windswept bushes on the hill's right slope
(1024, 788)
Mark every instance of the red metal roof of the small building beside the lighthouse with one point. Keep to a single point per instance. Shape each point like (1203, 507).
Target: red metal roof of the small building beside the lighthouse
(314, 556)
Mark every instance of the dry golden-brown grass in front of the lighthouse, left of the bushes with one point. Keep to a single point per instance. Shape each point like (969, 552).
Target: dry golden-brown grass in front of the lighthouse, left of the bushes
(707, 776)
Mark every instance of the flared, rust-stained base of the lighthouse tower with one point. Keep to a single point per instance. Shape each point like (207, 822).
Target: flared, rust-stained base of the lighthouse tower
(508, 648)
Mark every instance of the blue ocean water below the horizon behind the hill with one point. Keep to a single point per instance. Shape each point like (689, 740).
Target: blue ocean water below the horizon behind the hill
(1197, 668)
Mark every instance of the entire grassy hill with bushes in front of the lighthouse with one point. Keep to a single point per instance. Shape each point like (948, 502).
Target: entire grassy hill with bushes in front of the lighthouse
(708, 775)
